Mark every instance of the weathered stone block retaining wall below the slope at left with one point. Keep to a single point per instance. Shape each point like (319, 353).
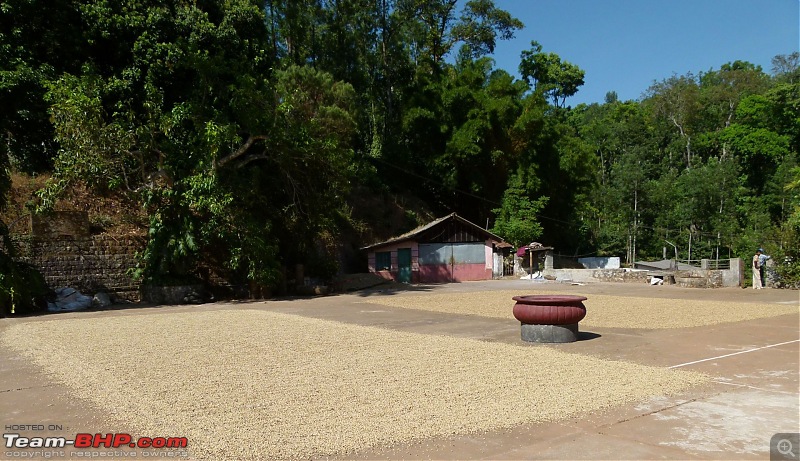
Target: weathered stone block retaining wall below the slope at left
(87, 263)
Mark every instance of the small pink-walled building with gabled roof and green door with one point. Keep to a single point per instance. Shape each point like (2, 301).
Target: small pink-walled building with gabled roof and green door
(449, 249)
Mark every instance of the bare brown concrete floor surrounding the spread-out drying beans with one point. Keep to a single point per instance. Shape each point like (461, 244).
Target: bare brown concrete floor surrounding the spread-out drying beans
(754, 393)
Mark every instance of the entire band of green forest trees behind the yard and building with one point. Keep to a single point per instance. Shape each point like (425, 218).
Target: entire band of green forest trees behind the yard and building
(250, 131)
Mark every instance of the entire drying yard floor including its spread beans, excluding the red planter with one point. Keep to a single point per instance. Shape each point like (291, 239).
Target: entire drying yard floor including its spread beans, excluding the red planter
(427, 372)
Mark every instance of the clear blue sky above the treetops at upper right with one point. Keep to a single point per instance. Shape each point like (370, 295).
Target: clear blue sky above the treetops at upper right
(625, 45)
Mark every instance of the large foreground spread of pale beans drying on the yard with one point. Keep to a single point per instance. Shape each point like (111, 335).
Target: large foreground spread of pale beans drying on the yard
(249, 384)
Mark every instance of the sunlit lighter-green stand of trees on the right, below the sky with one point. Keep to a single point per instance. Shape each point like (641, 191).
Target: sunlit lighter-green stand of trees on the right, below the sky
(706, 162)
